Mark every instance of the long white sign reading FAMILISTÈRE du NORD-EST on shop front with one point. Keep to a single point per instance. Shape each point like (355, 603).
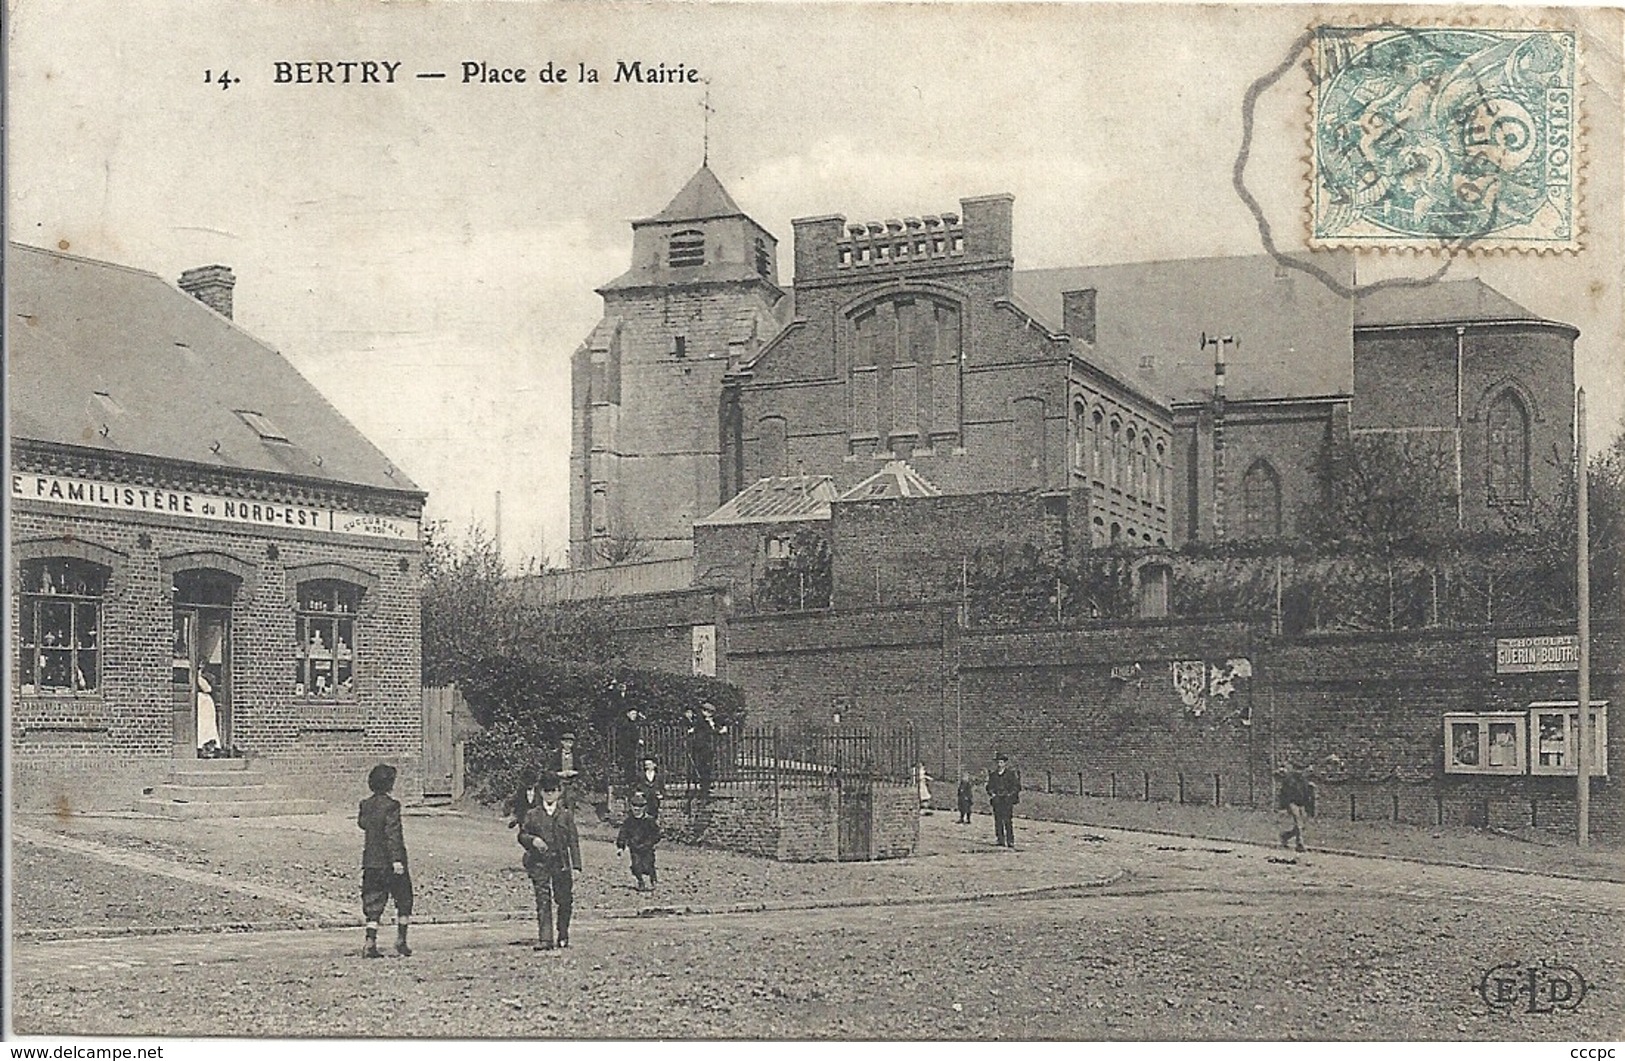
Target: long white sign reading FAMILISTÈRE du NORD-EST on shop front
(212, 508)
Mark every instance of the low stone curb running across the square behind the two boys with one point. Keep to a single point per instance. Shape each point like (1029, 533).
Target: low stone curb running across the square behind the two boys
(59, 935)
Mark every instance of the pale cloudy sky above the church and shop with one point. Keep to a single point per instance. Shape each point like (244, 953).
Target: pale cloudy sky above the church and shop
(427, 253)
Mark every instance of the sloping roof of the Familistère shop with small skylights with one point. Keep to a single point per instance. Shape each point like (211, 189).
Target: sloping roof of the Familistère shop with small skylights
(175, 376)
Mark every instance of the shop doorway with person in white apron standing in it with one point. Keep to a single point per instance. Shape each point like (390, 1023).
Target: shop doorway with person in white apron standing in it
(201, 677)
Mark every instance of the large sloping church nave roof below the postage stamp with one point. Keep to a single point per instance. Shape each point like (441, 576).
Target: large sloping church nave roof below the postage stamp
(1298, 337)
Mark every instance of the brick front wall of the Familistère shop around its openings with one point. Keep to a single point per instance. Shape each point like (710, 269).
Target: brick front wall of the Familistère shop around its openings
(105, 748)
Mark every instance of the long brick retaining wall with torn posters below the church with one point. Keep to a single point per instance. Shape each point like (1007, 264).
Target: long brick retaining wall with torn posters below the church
(1098, 709)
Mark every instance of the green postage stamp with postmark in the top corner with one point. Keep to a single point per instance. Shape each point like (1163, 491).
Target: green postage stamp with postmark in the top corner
(1457, 139)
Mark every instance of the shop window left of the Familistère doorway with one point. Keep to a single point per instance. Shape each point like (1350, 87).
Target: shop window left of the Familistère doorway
(61, 626)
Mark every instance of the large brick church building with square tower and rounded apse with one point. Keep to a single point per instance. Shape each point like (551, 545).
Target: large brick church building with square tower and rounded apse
(1156, 404)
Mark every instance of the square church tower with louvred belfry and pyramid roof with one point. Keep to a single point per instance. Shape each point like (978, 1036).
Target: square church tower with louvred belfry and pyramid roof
(646, 388)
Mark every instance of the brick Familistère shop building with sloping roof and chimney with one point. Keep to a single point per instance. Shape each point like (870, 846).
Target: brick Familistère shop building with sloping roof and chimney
(207, 560)
